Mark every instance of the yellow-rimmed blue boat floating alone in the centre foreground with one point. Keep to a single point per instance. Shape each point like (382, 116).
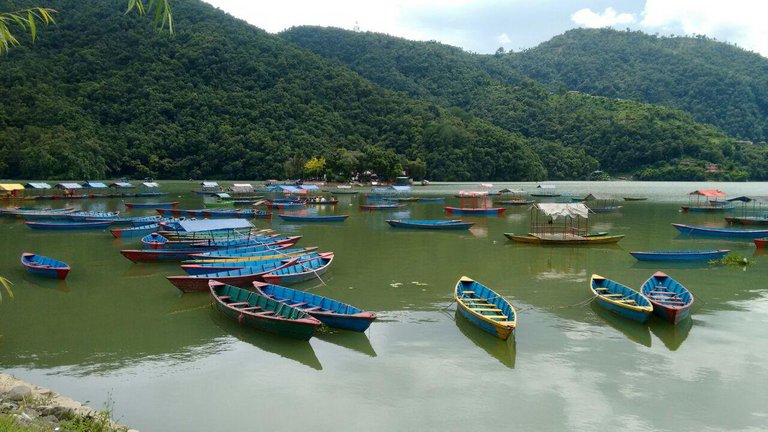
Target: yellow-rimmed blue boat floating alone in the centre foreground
(485, 308)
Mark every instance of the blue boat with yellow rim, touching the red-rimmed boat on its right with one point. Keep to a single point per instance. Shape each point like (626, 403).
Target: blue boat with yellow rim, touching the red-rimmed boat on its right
(620, 299)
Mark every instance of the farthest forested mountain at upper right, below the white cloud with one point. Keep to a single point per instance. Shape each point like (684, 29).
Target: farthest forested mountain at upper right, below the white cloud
(717, 83)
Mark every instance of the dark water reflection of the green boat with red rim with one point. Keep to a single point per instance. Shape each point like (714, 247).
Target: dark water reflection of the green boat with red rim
(296, 350)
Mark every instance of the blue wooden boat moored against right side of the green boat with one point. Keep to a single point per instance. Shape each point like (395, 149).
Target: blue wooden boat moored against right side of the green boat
(330, 312)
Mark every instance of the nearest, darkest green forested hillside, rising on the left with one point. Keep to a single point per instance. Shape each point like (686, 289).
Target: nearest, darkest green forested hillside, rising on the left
(102, 94)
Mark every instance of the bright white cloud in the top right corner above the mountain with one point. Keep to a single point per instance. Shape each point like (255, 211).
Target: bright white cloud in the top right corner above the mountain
(737, 21)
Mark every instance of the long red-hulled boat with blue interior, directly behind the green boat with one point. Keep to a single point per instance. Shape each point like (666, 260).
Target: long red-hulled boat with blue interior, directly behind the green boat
(242, 277)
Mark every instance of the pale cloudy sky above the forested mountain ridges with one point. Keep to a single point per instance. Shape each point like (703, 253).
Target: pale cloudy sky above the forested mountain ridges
(483, 26)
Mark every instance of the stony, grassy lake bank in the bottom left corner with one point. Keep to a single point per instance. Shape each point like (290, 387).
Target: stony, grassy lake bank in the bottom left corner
(26, 407)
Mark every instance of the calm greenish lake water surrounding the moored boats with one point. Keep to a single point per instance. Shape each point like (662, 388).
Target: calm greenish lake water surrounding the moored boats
(119, 332)
